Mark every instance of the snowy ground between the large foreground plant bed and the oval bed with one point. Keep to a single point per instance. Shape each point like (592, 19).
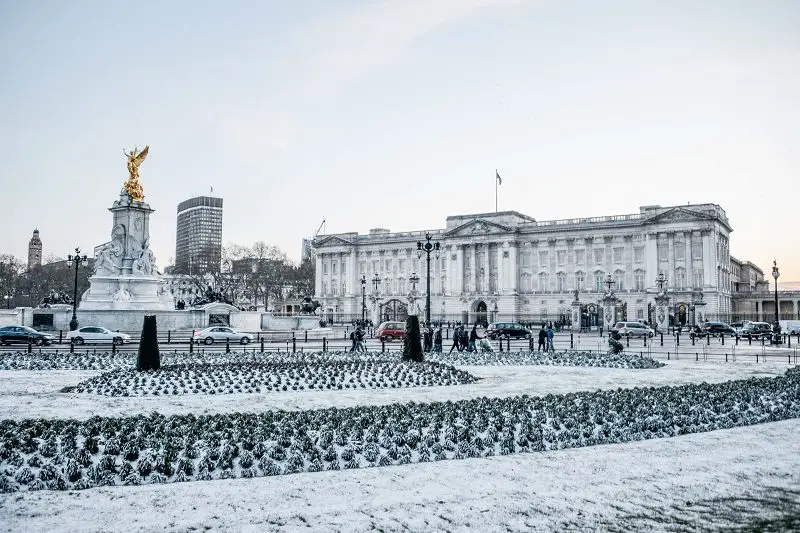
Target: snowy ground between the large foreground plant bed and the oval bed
(29, 394)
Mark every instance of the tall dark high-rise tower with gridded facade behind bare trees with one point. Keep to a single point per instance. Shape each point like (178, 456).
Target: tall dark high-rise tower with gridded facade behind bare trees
(198, 242)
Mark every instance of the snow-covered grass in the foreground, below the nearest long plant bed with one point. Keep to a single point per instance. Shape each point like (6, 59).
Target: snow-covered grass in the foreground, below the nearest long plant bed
(679, 483)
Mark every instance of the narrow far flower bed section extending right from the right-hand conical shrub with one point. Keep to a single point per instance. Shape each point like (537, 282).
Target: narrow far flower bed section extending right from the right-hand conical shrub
(570, 358)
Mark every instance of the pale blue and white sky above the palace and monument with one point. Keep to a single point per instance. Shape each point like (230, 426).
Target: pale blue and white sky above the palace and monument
(395, 114)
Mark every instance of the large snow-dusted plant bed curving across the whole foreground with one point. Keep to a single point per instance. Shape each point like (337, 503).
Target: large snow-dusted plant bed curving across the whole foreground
(69, 454)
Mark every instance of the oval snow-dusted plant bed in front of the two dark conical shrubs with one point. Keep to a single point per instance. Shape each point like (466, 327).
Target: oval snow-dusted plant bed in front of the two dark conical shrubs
(205, 378)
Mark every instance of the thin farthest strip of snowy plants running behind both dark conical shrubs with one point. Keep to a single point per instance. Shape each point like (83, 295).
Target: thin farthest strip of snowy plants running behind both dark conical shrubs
(109, 361)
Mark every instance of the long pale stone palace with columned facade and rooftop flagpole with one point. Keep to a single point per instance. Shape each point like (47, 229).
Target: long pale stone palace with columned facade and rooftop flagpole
(506, 266)
